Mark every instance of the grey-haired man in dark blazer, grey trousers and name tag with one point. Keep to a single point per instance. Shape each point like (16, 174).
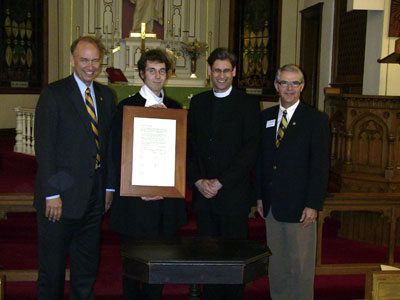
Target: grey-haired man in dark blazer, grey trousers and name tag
(291, 181)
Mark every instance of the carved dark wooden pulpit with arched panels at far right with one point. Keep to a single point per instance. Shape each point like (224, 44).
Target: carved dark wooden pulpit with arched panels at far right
(365, 143)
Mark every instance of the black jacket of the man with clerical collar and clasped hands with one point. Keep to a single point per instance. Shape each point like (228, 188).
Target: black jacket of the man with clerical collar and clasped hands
(223, 135)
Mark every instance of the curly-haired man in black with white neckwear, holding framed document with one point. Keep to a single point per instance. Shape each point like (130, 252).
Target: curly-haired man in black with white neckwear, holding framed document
(144, 217)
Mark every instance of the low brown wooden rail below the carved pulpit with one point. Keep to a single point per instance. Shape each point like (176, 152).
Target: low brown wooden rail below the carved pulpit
(368, 206)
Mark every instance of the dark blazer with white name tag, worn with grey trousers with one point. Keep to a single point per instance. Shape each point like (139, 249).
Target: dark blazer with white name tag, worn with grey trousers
(295, 175)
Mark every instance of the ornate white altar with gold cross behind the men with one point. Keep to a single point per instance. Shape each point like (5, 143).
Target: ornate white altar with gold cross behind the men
(169, 25)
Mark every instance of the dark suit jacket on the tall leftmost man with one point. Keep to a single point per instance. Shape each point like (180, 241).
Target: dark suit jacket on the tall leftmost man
(65, 146)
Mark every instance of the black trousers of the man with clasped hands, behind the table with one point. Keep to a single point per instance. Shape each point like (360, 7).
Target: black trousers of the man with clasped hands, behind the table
(209, 224)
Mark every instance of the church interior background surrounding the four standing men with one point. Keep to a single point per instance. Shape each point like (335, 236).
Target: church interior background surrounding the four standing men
(349, 51)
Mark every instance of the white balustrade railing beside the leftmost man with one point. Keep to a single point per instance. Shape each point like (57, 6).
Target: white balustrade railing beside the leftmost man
(25, 138)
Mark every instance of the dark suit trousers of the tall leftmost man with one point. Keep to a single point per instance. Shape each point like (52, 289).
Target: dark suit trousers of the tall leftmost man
(80, 238)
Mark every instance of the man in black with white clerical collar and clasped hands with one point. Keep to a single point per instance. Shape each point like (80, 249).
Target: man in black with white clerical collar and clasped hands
(223, 134)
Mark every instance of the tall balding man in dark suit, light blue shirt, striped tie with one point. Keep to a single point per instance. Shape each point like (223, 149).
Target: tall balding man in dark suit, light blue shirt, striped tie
(72, 125)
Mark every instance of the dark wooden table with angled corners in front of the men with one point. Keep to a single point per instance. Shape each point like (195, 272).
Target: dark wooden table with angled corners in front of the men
(195, 260)
